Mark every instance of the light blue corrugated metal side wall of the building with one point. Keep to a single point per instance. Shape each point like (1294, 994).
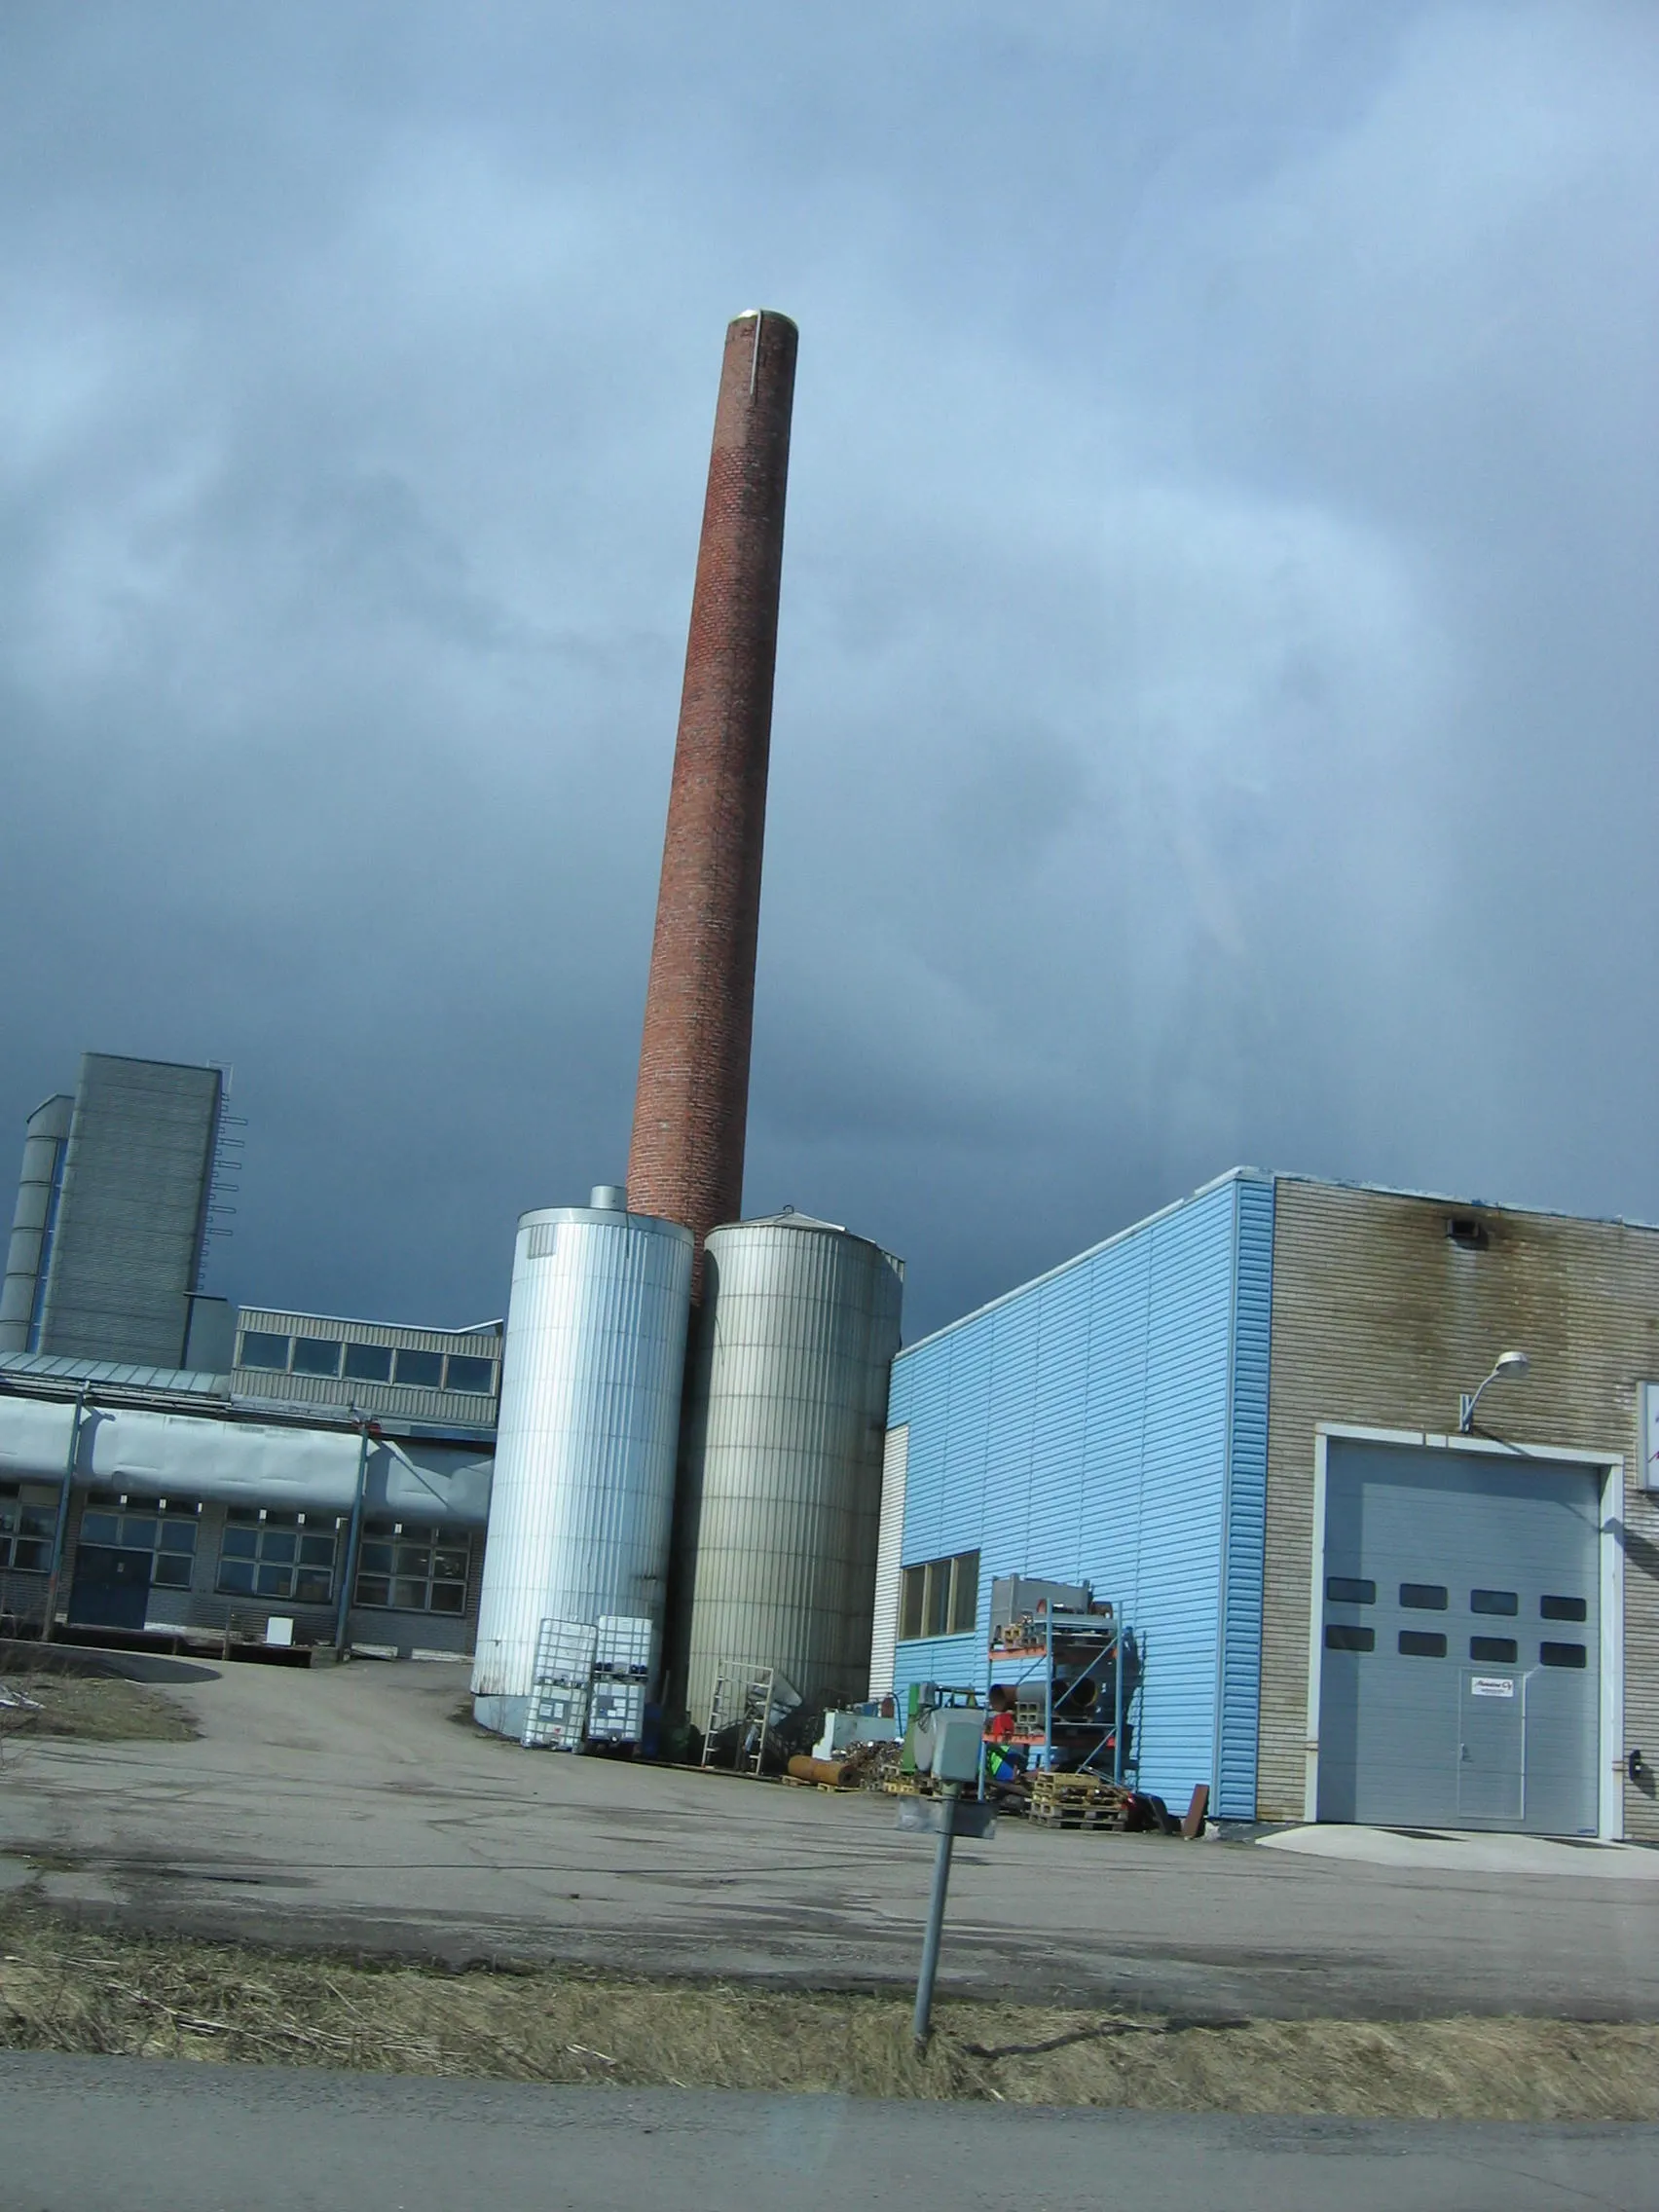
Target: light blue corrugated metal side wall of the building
(1107, 1426)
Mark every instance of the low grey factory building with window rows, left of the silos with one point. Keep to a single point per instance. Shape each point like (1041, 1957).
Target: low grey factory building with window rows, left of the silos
(269, 1505)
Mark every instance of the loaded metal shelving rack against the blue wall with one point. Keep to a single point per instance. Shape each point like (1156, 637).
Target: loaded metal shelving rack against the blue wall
(1078, 1682)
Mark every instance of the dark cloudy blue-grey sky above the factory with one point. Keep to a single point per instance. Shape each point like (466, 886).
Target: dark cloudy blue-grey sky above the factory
(1218, 669)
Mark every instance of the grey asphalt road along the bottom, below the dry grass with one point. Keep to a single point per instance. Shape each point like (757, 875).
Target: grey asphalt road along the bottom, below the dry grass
(147, 2136)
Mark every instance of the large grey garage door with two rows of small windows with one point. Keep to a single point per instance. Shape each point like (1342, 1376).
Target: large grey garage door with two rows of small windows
(1461, 1642)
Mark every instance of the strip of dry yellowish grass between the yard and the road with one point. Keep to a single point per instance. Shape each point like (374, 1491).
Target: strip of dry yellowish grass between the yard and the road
(67, 1987)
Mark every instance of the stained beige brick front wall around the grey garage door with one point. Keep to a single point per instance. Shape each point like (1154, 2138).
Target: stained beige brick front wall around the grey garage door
(1379, 1319)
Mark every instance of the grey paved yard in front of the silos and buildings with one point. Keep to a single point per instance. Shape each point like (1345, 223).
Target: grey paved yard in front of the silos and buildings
(353, 1808)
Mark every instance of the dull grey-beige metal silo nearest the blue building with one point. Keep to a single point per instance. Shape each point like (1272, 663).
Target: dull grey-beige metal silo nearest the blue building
(782, 1463)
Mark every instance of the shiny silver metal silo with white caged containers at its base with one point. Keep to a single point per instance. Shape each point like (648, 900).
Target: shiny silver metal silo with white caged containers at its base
(583, 1496)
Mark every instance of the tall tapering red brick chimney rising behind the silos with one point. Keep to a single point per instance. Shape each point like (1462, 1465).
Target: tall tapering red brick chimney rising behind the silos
(691, 1109)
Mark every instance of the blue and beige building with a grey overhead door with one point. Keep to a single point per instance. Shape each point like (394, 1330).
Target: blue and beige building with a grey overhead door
(1348, 1592)
